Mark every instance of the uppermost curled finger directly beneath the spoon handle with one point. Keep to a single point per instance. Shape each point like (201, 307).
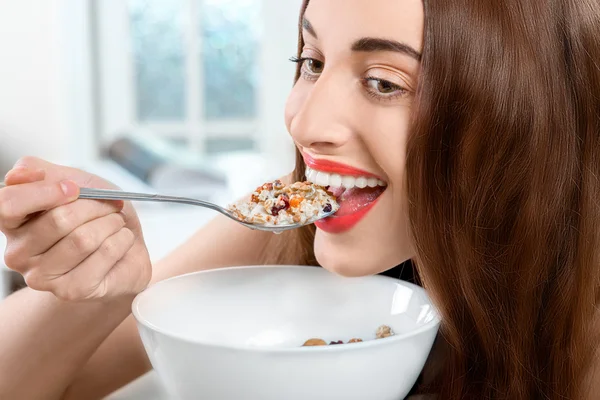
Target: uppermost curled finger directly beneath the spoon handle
(41, 233)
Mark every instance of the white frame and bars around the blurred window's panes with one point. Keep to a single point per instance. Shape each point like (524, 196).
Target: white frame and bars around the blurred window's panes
(115, 87)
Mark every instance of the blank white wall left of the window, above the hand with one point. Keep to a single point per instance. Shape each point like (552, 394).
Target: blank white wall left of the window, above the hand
(44, 108)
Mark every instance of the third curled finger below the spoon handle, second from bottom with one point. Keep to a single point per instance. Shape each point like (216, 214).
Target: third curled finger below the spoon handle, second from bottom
(88, 279)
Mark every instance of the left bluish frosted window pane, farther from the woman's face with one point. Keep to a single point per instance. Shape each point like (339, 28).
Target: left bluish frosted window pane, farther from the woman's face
(157, 37)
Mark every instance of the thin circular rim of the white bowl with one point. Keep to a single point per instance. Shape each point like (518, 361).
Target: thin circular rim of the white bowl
(433, 324)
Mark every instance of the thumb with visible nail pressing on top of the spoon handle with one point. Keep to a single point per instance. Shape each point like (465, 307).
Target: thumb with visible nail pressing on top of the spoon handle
(18, 202)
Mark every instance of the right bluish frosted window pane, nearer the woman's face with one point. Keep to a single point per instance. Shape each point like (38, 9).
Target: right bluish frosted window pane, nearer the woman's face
(230, 34)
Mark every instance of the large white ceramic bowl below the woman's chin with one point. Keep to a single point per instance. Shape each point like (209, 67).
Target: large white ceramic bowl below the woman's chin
(236, 334)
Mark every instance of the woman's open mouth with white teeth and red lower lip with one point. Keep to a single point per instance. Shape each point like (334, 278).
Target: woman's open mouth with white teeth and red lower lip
(356, 195)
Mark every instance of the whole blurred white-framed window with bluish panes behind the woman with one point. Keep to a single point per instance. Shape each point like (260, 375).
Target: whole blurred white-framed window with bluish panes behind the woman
(195, 71)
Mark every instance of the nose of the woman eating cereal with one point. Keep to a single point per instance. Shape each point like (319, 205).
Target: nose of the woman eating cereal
(320, 119)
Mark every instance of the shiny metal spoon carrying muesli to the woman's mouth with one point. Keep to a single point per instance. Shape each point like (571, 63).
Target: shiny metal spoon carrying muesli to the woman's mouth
(107, 194)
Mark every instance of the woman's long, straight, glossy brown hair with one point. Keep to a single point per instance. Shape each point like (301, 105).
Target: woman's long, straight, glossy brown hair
(503, 180)
